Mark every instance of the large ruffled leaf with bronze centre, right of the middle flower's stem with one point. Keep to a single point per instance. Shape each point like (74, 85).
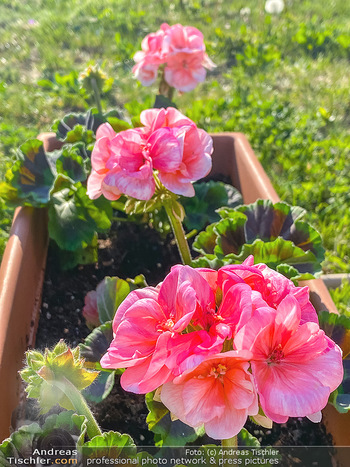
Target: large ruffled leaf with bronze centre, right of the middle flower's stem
(272, 233)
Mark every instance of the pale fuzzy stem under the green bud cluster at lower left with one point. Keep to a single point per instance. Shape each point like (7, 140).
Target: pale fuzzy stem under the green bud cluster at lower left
(79, 404)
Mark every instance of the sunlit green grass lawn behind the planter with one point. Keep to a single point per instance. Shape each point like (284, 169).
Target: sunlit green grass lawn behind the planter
(282, 80)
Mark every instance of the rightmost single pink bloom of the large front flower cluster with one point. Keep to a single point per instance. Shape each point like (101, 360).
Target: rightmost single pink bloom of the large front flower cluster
(295, 366)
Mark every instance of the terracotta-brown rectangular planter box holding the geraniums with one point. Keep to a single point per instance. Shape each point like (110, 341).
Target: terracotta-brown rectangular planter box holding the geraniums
(22, 270)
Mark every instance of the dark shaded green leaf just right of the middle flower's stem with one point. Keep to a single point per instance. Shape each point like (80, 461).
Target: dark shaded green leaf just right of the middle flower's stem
(201, 209)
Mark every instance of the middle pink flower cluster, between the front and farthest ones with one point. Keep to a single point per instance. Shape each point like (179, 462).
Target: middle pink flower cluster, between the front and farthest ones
(168, 142)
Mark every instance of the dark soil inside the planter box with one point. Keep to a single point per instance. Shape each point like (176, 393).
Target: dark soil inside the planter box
(133, 249)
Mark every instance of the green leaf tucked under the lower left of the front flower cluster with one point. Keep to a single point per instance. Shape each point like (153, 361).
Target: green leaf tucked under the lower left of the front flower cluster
(168, 432)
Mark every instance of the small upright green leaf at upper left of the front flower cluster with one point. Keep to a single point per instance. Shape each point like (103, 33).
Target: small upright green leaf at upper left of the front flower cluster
(110, 294)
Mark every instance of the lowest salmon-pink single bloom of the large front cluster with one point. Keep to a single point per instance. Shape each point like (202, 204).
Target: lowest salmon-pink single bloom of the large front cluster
(218, 393)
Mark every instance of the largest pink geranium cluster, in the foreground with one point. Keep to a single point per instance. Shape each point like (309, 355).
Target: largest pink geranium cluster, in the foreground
(221, 343)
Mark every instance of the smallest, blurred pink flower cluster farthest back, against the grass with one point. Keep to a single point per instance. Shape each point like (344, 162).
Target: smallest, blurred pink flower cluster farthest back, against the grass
(181, 49)
